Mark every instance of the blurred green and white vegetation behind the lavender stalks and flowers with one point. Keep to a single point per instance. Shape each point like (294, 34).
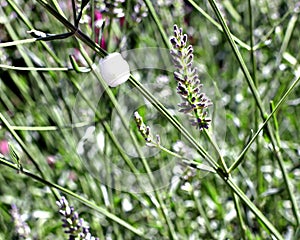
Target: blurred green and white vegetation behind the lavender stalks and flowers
(199, 204)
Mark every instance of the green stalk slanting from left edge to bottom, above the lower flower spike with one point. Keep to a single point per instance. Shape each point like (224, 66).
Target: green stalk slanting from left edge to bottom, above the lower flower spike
(86, 202)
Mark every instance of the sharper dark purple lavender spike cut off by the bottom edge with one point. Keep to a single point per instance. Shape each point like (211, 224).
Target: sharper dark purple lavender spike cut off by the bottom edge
(75, 227)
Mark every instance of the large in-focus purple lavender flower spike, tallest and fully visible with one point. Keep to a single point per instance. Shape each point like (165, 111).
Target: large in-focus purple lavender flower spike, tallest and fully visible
(194, 102)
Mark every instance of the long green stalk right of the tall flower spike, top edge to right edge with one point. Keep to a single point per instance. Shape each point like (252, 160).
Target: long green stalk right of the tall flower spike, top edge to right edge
(259, 104)
